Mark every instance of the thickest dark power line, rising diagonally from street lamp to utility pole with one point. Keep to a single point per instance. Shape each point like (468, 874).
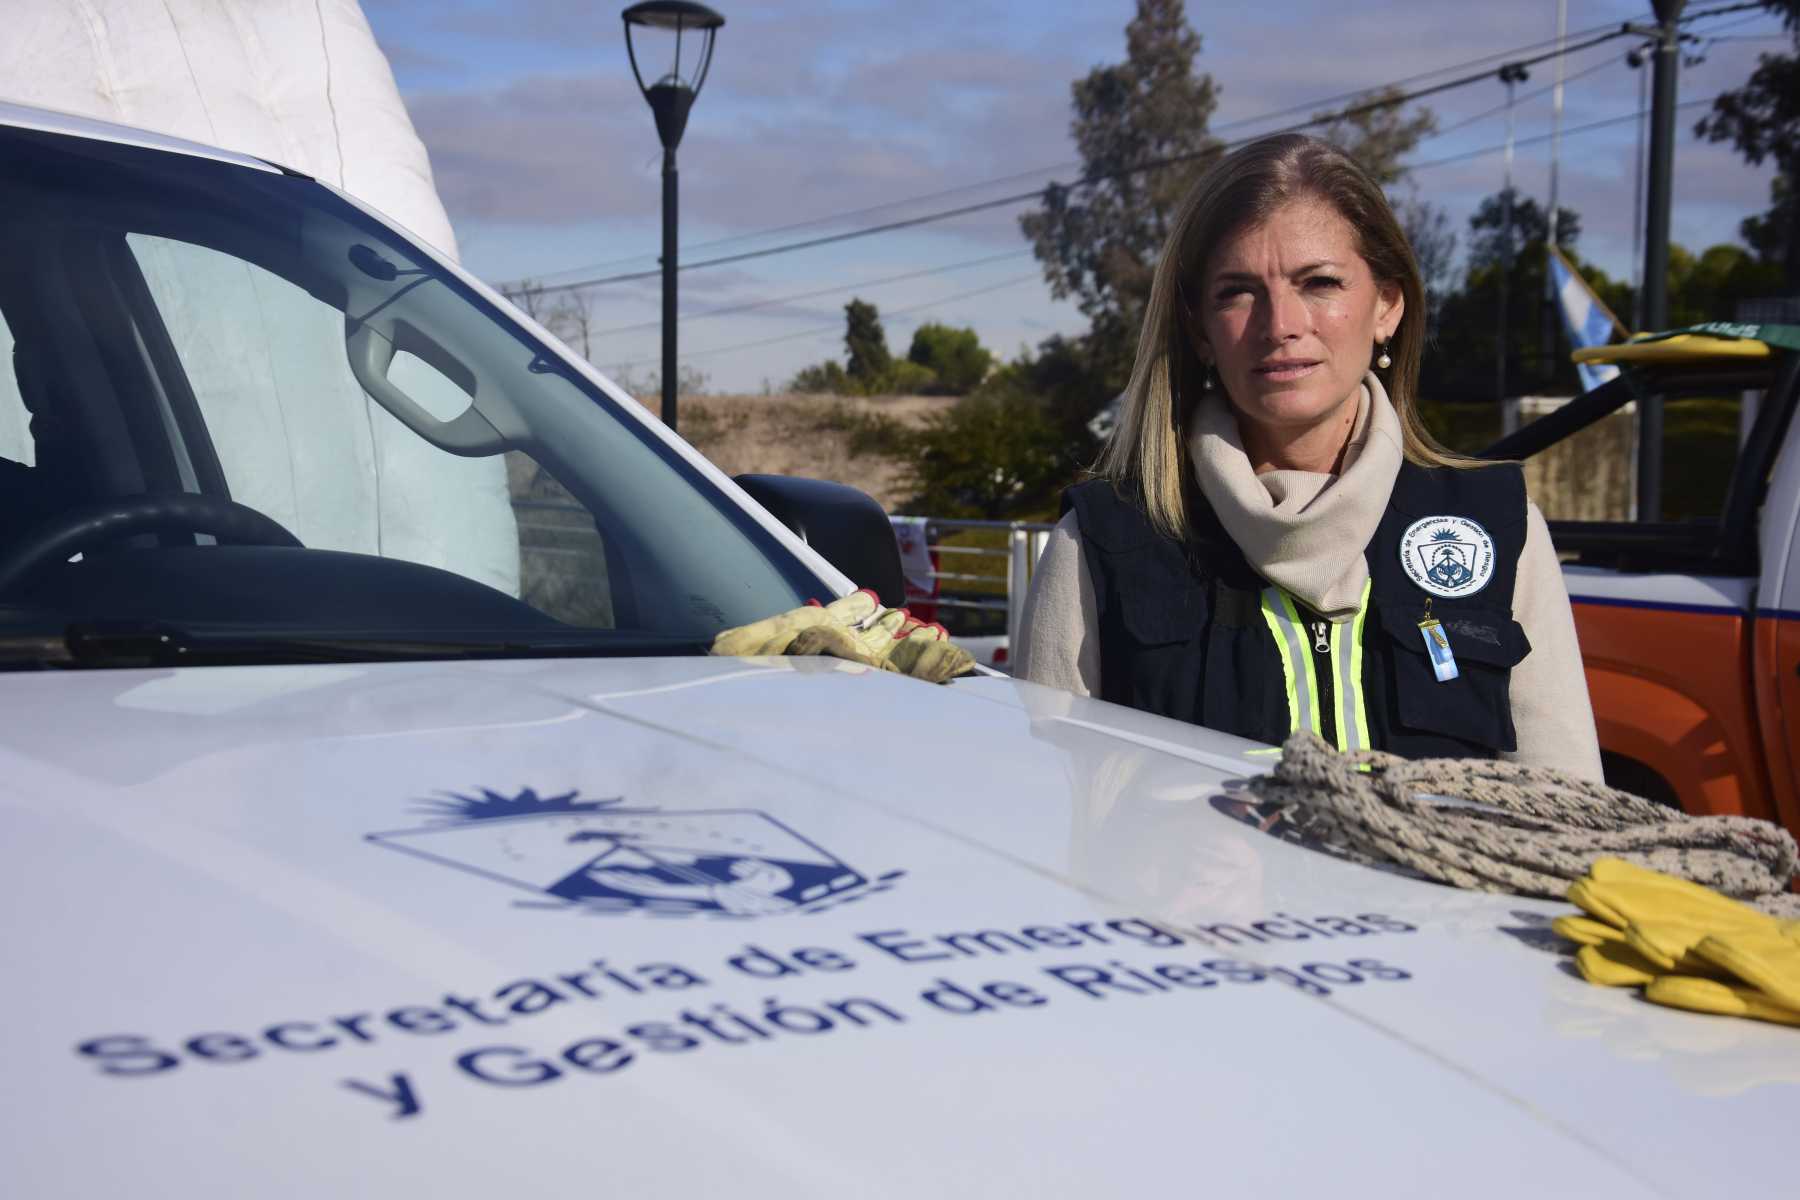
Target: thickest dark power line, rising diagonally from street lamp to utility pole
(1601, 33)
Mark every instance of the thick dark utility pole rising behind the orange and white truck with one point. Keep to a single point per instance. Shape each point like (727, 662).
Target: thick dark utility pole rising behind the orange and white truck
(1659, 188)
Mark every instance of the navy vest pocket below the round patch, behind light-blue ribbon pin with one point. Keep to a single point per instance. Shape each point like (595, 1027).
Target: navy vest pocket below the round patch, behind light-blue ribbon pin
(1477, 706)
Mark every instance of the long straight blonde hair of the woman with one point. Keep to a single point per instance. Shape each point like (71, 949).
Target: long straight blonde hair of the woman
(1147, 452)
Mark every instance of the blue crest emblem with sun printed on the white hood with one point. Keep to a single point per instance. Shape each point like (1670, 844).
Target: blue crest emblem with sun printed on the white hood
(602, 857)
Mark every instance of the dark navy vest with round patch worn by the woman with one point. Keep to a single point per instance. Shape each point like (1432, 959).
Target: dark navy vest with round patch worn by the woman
(1183, 631)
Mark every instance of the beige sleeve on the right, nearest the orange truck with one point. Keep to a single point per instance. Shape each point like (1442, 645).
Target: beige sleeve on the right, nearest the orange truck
(1551, 704)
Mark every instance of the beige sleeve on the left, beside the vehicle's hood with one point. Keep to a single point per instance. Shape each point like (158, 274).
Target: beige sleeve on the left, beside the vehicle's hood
(1059, 631)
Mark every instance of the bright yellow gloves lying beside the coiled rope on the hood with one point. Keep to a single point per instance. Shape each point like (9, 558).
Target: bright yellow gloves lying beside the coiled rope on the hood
(1686, 945)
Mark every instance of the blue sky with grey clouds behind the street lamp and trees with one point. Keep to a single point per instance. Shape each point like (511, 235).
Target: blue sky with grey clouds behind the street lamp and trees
(825, 116)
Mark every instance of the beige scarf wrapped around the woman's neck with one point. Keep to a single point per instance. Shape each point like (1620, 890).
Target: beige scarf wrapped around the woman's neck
(1304, 532)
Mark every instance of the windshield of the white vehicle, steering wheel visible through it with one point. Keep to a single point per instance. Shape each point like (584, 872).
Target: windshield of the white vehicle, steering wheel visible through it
(235, 404)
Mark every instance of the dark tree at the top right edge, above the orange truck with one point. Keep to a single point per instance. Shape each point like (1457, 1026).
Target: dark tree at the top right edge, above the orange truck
(1763, 121)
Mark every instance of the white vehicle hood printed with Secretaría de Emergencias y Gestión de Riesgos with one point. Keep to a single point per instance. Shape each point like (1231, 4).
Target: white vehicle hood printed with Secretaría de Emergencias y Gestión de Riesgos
(773, 929)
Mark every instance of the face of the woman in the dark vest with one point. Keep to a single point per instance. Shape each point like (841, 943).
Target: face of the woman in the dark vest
(1290, 316)
